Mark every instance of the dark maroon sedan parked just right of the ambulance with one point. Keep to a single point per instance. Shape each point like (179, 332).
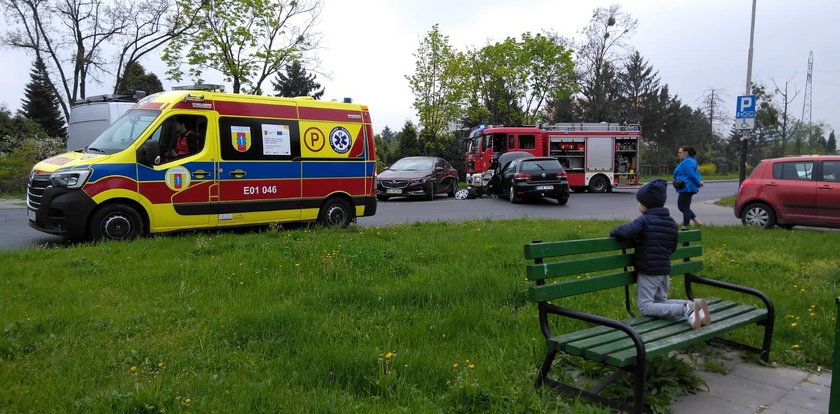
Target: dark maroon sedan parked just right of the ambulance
(417, 177)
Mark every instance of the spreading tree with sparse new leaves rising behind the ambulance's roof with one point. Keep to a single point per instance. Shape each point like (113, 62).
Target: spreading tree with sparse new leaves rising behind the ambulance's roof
(248, 41)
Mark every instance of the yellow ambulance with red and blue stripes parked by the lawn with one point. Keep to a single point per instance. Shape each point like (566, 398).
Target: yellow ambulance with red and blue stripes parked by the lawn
(182, 160)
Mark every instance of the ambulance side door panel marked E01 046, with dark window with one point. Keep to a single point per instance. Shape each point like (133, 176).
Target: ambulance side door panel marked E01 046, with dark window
(259, 170)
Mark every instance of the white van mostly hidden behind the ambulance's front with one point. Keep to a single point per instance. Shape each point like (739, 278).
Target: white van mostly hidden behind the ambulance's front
(90, 116)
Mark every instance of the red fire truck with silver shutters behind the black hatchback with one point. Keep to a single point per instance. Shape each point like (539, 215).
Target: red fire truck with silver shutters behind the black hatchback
(596, 156)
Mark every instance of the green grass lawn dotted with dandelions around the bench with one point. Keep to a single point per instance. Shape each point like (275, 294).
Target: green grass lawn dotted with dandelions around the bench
(417, 318)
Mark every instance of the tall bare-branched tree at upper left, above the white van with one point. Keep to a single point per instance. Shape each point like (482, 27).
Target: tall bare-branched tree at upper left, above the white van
(74, 37)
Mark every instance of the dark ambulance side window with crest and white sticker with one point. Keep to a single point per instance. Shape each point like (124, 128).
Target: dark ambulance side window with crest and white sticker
(254, 139)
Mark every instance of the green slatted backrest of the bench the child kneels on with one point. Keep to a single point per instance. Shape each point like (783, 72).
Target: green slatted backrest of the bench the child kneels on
(573, 267)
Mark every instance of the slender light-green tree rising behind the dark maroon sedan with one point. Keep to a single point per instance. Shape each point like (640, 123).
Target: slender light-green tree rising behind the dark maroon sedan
(438, 87)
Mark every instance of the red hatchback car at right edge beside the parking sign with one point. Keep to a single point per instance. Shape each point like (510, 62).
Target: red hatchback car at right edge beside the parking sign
(790, 191)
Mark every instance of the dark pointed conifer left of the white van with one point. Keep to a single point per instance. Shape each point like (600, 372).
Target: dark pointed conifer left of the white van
(40, 102)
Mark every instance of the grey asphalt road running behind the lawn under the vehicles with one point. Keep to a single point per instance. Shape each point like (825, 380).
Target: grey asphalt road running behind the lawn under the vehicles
(15, 232)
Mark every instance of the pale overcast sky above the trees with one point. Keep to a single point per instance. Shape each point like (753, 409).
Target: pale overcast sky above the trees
(696, 45)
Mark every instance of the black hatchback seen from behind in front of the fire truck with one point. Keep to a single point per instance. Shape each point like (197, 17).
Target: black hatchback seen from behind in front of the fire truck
(534, 177)
